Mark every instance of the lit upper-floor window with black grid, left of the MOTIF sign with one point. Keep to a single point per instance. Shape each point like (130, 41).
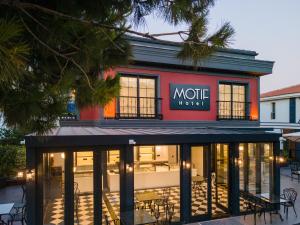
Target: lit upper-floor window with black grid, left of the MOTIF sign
(138, 97)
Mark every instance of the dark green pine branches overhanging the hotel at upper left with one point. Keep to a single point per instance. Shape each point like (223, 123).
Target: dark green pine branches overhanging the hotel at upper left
(50, 48)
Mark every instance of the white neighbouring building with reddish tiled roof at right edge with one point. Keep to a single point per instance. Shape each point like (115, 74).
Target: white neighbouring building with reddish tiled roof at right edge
(280, 110)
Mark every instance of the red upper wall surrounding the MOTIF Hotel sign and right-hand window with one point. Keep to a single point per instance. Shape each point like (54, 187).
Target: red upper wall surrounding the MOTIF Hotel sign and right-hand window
(167, 77)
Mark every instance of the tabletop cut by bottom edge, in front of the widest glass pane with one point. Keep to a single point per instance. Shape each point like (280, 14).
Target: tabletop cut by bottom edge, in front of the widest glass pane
(141, 217)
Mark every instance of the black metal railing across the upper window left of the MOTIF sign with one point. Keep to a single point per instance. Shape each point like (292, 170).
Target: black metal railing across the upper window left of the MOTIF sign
(129, 107)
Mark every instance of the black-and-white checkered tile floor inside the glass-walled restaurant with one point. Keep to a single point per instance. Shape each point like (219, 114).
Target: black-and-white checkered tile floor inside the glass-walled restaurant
(85, 208)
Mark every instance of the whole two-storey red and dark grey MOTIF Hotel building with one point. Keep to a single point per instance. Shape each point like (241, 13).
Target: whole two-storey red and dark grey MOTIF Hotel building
(180, 142)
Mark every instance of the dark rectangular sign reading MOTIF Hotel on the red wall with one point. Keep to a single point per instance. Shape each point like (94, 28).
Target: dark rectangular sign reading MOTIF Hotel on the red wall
(189, 97)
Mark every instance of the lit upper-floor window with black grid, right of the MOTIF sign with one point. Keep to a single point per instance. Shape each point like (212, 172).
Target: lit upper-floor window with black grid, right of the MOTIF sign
(232, 102)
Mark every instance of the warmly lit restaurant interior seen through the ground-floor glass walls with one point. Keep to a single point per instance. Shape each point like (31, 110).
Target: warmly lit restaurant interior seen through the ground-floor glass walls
(156, 181)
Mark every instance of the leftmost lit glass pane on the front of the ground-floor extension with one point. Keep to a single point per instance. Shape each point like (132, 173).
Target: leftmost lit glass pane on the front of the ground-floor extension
(53, 186)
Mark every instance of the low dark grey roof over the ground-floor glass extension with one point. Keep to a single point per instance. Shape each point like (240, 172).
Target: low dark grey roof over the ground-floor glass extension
(95, 136)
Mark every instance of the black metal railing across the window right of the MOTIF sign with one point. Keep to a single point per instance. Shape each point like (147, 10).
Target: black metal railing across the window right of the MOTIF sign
(233, 110)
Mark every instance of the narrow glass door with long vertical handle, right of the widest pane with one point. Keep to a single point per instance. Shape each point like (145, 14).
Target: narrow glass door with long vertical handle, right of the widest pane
(220, 178)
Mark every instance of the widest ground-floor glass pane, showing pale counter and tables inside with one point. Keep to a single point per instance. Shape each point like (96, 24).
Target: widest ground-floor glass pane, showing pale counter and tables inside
(157, 181)
